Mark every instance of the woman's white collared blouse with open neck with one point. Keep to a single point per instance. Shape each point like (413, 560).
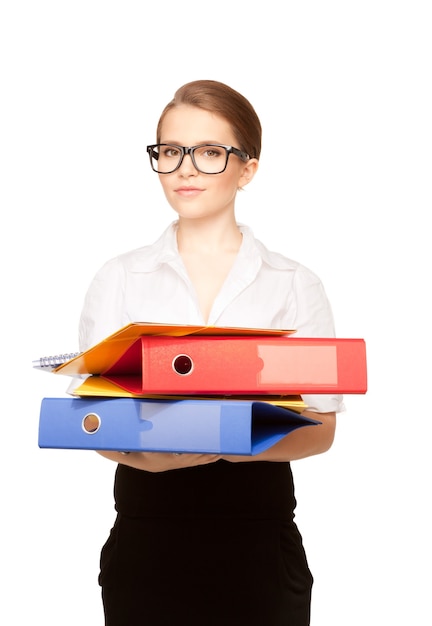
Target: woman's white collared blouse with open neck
(263, 290)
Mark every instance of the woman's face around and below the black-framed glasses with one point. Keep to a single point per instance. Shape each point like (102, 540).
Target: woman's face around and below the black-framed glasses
(191, 193)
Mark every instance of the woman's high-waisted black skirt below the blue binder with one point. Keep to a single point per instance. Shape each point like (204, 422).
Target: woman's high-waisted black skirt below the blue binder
(210, 545)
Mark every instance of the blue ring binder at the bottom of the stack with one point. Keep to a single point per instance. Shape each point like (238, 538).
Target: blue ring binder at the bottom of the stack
(186, 425)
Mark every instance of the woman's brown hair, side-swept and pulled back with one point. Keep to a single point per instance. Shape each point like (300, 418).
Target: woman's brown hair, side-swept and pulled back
(218, 98)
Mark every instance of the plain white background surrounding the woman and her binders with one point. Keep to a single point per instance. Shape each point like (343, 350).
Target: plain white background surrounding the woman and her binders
(343, 90)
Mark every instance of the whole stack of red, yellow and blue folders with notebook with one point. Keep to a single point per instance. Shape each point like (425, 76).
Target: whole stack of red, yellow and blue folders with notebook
(174, 388)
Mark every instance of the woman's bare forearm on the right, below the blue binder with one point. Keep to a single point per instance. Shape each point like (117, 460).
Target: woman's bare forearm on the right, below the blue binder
(299, 444)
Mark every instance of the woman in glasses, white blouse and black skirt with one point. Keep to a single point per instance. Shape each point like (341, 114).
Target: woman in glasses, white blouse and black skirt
(203, 539)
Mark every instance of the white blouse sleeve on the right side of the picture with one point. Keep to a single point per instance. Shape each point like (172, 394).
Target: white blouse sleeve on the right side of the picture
(314, 318)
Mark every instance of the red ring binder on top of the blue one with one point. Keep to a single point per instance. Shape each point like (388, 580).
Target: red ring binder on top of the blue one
(225, 365)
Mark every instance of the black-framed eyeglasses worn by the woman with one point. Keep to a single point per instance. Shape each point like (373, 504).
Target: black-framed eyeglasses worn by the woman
(210, 158)
